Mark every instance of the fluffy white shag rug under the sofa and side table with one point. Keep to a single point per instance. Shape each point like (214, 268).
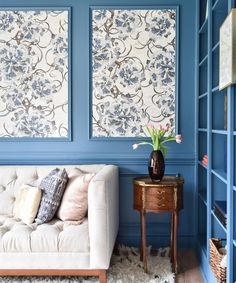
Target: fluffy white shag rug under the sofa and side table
(125, 268)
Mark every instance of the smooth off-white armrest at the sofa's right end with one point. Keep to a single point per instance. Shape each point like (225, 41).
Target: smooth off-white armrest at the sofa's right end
(103, 215)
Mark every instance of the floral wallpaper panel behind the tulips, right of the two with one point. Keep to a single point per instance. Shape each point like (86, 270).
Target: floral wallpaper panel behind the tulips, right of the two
(133, 71)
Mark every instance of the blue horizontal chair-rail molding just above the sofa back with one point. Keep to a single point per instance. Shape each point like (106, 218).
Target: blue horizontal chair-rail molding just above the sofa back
(45, 157)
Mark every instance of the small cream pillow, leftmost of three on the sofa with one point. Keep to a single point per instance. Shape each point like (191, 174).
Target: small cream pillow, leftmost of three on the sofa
(27, 203)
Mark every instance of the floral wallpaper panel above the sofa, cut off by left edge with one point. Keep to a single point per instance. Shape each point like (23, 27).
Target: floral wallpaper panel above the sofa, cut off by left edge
(34, 74)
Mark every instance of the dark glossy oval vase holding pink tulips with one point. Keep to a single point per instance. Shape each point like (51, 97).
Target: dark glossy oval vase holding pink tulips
(156, 165)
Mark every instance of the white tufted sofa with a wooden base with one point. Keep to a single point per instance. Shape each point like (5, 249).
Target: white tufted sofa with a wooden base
(56, 248)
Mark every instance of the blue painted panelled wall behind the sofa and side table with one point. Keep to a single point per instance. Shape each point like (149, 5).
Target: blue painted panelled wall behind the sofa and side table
(180, 158)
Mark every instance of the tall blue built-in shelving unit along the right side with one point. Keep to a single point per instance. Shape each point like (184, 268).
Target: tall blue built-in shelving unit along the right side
(216, 137)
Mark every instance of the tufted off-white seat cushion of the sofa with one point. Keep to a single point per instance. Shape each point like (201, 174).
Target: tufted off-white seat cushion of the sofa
(54, 236)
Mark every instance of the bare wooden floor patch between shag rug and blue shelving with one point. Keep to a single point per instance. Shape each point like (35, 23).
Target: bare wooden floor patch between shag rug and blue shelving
(189, 271)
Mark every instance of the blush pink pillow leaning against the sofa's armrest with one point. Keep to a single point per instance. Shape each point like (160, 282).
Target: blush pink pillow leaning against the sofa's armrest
(74, 203)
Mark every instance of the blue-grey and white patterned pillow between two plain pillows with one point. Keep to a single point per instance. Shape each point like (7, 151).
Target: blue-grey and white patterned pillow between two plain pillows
(53, 186)
